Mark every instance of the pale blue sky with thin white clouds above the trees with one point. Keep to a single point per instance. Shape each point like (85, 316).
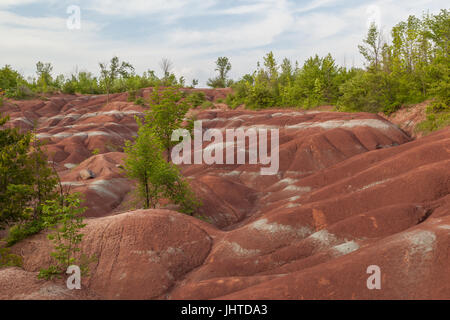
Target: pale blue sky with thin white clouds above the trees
(191, 33)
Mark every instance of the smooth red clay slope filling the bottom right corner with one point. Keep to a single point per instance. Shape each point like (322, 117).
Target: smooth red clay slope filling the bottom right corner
(410, 262)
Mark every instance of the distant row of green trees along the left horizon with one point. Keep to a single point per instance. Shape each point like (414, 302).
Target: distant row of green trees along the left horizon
(114, 77)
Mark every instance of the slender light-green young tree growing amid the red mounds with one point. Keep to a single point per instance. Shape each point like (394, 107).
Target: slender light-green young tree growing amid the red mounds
(145, 163)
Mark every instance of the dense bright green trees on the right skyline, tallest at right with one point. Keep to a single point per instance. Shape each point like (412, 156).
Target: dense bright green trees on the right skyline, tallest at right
(412, 68)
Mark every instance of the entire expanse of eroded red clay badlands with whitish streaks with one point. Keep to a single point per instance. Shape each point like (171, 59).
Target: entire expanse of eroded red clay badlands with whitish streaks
(353, 190)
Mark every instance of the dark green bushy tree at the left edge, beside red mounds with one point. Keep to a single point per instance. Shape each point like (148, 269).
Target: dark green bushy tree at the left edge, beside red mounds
(26, 182)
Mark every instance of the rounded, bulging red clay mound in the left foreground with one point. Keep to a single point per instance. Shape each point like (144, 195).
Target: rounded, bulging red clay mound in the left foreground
(139, 255)
